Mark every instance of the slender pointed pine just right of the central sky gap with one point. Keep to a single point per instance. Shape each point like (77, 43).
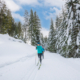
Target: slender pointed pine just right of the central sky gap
(51, 38)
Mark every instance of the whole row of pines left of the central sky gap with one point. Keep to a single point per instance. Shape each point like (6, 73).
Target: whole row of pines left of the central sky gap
(29, 30)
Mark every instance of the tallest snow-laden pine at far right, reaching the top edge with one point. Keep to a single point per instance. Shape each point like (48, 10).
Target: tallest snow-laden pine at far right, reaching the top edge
(73, 27)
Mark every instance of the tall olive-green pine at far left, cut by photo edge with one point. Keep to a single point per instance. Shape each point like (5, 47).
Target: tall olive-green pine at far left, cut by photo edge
(5, 19)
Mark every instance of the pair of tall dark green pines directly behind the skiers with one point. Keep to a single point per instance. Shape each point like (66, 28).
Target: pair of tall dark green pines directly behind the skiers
(34, 28)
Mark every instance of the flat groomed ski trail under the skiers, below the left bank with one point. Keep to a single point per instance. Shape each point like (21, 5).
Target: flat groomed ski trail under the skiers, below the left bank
(54, 67)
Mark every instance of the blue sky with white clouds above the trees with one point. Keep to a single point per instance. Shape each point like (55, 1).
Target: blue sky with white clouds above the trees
(46, 9)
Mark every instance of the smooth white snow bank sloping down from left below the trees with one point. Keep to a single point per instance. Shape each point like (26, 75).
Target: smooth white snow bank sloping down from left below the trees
(12, 50)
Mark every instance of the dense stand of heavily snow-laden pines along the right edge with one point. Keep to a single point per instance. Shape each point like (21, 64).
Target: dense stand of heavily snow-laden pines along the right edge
(68, 31)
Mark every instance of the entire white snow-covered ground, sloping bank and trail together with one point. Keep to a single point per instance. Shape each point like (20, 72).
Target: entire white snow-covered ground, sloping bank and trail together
(17, 62)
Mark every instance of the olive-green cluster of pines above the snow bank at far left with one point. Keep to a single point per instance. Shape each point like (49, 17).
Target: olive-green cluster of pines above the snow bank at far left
(7, 23)
